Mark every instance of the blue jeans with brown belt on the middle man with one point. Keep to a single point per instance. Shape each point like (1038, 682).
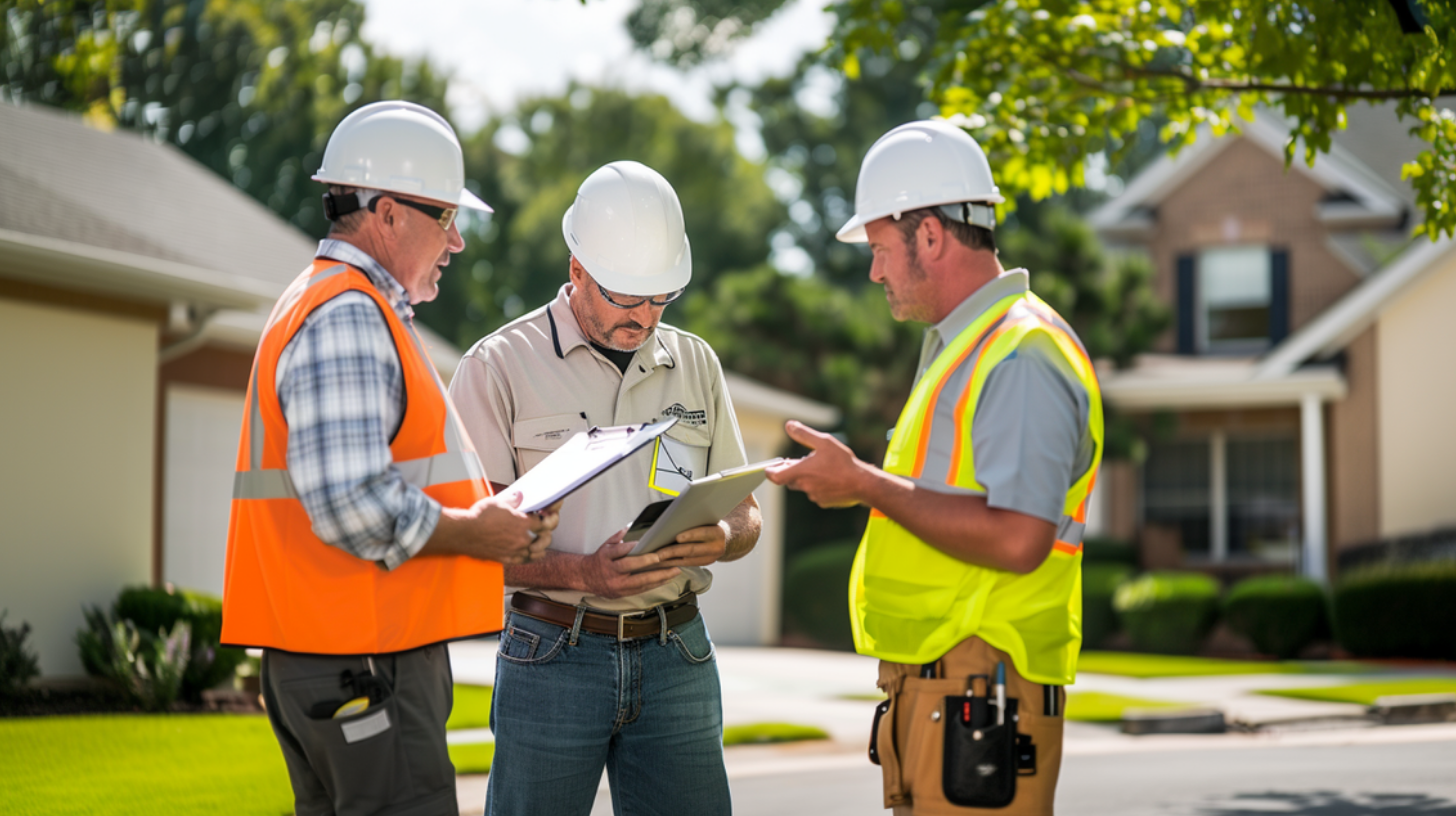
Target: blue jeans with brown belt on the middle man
(650, 710)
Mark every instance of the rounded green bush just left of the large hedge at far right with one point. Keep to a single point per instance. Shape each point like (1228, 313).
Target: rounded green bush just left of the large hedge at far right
(1281, 614)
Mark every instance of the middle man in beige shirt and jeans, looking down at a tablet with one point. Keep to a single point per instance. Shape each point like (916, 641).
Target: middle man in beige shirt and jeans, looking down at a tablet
(605, 661)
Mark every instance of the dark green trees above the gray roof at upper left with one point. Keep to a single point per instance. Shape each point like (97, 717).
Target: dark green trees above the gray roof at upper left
(248, 88)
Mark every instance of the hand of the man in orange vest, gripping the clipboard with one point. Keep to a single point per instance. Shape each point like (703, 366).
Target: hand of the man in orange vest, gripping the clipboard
(493, 530)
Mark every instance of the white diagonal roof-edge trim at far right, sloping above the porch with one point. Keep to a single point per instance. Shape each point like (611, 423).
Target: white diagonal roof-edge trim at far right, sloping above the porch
(1336, 327)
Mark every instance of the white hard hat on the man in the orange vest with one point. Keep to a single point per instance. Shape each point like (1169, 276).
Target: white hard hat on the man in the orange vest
(400, 148)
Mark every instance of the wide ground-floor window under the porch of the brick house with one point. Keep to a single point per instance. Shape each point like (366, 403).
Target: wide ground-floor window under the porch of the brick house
(1231, 499)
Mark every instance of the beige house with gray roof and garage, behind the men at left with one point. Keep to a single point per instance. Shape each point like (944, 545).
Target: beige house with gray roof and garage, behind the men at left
(135, 286)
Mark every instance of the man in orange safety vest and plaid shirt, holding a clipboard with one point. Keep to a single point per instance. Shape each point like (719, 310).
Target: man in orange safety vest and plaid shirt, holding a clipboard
(363, 534)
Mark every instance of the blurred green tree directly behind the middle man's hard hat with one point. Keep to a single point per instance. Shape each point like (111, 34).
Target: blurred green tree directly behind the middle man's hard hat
(516, 260)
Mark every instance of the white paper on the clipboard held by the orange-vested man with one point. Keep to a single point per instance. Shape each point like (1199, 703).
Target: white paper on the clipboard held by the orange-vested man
(582, 460)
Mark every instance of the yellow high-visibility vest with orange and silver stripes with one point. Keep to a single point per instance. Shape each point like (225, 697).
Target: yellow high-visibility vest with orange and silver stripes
(911, 603)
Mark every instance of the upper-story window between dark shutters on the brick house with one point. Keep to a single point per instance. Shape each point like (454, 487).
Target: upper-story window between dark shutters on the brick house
(1234, 298)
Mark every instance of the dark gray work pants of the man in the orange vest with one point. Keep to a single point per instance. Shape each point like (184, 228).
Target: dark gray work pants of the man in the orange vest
(389, 760)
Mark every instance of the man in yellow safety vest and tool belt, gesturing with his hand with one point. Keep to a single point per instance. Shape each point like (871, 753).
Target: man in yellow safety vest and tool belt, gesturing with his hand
(968, 584)
